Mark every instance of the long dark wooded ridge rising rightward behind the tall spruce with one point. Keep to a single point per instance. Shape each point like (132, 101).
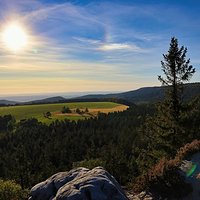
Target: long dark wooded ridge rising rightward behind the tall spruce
(148, 94)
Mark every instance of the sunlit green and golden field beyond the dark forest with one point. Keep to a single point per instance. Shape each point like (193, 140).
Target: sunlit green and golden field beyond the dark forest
(36, 111)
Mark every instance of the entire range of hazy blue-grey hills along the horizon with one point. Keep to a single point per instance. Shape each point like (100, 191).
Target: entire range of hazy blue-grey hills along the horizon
(142, 95)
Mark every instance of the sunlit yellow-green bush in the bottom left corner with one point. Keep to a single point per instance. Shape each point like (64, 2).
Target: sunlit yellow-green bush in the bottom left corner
(9, 190)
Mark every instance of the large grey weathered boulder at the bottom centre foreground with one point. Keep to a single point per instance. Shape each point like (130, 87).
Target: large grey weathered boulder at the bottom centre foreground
(79, 184)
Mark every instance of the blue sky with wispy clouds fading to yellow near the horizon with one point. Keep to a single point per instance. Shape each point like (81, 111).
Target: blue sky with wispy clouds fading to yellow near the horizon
(94, 45)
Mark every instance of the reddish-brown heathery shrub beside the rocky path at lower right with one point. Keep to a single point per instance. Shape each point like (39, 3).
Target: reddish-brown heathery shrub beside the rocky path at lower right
(164, 178)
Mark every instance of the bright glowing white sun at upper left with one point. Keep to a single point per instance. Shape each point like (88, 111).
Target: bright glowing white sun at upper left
(14, 37)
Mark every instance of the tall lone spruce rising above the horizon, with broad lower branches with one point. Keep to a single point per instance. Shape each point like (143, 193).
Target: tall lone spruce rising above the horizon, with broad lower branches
(166, 131)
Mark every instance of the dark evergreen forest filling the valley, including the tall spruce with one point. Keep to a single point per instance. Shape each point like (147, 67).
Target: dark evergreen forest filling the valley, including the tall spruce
(127, 144)
